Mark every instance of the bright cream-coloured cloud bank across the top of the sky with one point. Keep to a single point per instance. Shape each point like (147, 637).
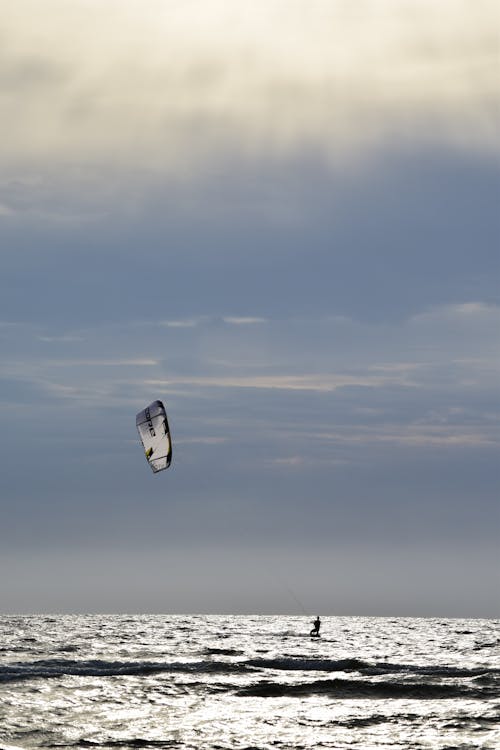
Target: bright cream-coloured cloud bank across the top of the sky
(168, 88)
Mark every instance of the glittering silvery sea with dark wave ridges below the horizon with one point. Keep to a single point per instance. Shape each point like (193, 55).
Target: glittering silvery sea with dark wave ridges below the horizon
(220, 682)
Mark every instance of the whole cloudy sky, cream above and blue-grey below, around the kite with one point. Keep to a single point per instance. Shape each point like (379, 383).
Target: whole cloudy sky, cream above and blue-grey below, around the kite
(282, 219)
